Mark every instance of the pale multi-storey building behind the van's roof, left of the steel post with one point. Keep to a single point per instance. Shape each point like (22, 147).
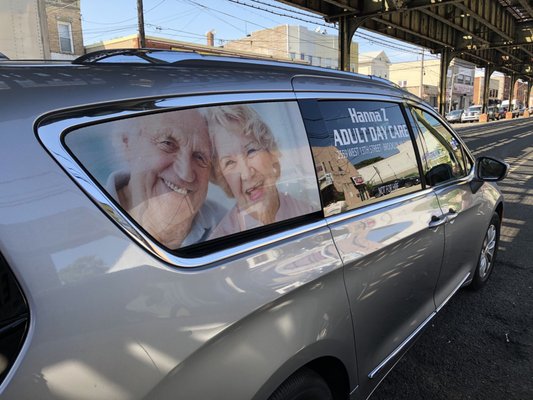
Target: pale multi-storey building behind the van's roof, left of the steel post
(296, 43)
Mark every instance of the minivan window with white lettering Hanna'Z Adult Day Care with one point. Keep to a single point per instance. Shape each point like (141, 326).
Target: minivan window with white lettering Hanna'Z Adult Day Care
(363, 152)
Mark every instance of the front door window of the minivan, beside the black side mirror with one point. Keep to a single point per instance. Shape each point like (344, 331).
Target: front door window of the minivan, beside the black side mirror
(441, 153)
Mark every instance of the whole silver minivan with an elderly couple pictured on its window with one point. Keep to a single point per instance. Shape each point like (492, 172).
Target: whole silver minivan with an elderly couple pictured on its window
(178, 226)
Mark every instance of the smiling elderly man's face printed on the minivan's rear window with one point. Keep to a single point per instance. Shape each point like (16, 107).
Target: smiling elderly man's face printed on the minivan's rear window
(170, 166)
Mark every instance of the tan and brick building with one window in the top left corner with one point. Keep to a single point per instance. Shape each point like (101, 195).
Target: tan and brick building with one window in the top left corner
(41, 29)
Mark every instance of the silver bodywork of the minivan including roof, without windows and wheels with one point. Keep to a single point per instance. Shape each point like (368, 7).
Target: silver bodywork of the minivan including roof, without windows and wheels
(113, 315)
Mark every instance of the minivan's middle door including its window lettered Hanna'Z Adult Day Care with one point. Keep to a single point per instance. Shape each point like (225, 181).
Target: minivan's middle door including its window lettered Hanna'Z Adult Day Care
(386, 227)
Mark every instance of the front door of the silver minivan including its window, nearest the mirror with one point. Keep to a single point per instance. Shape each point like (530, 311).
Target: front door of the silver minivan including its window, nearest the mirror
(446, 168)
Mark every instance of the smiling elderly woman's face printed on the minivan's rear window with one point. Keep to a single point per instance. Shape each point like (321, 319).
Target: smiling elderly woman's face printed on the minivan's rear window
(250, 170)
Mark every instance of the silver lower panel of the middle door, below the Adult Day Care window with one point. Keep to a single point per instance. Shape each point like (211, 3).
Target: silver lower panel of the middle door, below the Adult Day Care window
(385, 306)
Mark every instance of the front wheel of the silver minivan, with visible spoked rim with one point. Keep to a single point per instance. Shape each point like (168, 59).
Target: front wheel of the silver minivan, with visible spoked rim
(487, 254)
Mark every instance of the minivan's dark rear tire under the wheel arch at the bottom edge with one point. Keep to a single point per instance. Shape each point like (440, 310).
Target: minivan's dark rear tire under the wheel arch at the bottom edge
(305, 384)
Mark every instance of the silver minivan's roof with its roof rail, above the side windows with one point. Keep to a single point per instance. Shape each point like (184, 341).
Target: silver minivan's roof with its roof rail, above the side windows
(122, 74)
